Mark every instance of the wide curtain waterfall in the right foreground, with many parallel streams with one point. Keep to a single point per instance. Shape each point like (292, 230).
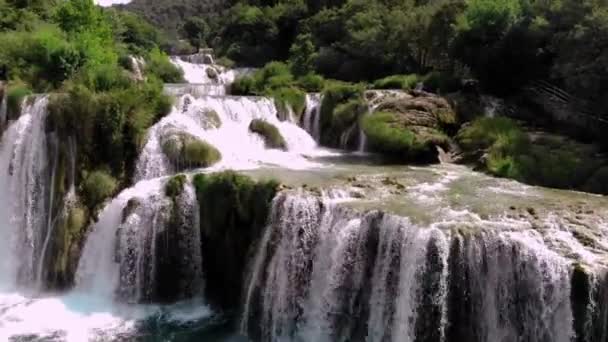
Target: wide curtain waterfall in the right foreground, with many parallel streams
(326, 273)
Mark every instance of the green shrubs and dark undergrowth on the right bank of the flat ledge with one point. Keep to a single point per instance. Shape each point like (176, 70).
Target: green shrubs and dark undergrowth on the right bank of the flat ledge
(545, 160)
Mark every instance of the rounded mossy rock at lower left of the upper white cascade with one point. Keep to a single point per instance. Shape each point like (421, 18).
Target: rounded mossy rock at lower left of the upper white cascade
(186, 151)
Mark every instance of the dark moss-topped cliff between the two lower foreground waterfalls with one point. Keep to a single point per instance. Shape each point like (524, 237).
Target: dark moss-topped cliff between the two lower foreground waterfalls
(233, 212)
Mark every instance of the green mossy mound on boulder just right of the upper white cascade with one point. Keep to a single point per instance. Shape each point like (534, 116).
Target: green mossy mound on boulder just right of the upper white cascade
(387, 135)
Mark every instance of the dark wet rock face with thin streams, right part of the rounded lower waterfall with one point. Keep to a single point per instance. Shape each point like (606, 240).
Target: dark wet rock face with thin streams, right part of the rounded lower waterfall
(158, 248)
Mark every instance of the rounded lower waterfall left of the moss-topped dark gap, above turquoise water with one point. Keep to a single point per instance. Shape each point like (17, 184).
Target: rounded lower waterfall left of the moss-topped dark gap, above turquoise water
(145, 247)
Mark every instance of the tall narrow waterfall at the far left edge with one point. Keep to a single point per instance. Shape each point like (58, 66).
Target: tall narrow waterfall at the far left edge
(24, 182)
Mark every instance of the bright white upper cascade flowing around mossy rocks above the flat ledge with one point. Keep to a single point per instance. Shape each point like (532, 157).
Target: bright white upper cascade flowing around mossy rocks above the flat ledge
(240, 149)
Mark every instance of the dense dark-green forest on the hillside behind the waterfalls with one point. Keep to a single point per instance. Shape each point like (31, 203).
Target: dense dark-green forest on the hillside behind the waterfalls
(503, 43)
